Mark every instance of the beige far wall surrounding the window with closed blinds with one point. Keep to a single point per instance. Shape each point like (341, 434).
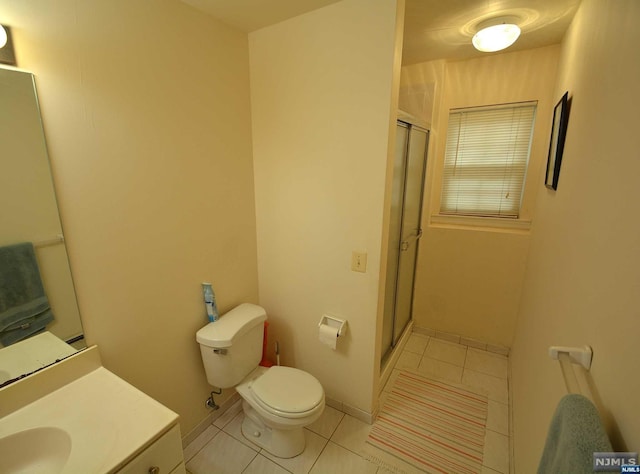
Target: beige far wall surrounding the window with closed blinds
(487, 263)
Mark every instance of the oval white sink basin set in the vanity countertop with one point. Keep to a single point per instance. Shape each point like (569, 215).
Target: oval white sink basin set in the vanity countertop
(38, 450)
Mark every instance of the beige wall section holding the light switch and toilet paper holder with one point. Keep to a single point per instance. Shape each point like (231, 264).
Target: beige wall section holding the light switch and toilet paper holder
(321, 89)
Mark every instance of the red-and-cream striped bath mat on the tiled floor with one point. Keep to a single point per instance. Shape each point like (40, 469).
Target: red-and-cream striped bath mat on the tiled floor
(433, 426)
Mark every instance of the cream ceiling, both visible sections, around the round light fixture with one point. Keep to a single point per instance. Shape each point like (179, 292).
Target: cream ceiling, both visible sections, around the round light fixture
(434, 29)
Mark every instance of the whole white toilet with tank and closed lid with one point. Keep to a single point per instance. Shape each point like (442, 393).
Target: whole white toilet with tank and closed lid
(278, 402)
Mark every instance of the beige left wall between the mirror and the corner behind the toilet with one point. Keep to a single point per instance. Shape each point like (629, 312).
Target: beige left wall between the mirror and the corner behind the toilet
(147, 116)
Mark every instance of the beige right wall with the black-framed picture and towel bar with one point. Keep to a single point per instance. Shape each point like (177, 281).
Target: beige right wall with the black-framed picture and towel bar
(582, 279)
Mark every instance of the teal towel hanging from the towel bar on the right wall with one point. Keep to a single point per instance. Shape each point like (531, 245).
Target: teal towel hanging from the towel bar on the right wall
(576, 432)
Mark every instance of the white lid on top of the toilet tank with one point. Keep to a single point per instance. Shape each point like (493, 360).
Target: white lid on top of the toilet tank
(231, 325)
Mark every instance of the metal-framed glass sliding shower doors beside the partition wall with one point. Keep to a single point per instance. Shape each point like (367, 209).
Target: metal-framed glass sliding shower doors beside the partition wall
(404, 230)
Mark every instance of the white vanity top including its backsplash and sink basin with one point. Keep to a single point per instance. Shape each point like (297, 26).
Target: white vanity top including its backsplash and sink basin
(76, 417)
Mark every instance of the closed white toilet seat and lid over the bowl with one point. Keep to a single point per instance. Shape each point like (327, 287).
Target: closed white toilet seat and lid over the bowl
(287, 392)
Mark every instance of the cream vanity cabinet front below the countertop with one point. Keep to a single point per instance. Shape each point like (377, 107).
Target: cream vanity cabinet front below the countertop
(164, 456)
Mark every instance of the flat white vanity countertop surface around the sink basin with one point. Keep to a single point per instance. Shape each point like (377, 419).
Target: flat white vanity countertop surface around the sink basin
(109, 420)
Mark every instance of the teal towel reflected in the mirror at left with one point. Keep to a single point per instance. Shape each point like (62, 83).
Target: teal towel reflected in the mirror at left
(24, 307)
